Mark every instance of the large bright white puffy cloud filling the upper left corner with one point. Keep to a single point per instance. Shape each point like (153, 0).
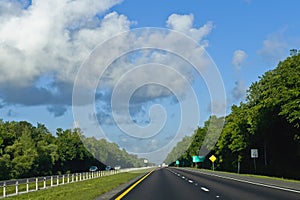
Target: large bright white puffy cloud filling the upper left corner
(52, 35)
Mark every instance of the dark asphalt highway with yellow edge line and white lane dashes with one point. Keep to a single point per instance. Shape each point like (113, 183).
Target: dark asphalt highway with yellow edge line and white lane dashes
(173, 183)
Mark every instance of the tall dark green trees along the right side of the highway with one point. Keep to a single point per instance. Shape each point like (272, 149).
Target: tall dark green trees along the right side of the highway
(268, 120)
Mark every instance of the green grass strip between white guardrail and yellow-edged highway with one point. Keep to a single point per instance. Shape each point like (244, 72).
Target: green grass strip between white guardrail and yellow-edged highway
(88, 189)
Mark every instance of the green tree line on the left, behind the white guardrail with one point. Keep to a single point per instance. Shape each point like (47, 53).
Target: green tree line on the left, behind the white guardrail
(27, 151)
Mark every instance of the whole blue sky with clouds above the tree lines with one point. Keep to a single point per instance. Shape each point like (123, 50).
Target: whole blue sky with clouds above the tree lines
(142, 74)
